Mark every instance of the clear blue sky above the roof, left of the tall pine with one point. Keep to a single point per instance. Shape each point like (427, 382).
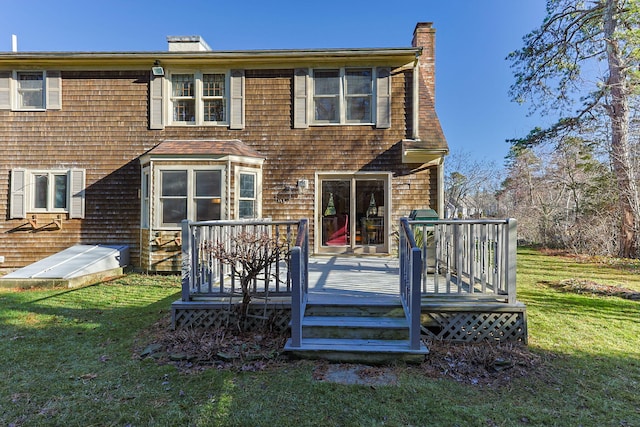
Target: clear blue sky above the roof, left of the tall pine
(472, 40)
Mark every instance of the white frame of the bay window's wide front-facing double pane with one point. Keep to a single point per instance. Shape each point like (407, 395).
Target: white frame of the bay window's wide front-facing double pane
(191, 199)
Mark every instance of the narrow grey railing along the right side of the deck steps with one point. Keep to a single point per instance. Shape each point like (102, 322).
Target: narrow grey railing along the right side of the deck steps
(410, 268)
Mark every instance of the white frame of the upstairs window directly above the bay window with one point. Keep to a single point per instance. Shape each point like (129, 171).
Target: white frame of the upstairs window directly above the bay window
(199, 98)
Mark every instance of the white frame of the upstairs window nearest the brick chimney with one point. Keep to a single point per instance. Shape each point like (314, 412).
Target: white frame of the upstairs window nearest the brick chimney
(342, 98)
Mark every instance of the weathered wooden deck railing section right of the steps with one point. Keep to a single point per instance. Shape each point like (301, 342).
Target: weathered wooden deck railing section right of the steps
(468, 258)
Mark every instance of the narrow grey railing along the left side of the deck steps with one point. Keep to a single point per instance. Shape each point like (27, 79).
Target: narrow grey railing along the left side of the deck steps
(300, 282)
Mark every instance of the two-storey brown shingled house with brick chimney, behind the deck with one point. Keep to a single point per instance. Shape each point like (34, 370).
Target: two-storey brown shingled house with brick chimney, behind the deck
(104, 148)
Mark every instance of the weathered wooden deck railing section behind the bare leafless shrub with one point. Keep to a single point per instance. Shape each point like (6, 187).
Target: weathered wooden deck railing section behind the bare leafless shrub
(205, 275)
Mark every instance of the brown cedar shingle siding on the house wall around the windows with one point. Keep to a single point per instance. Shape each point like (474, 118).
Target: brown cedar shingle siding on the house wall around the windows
(103, 128)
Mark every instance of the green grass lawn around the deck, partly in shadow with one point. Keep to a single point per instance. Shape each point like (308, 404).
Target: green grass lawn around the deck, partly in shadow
(67, 358)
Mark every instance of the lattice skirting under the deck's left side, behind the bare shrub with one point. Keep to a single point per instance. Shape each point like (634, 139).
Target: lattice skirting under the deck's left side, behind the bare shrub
(275, 317)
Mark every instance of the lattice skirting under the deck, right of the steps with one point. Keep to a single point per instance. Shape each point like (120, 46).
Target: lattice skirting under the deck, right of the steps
(507, 324)
